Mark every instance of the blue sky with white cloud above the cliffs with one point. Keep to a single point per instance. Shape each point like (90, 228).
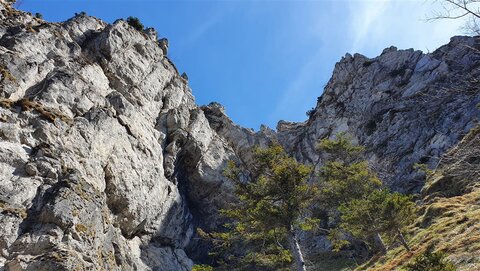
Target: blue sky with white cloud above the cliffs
(267, 61)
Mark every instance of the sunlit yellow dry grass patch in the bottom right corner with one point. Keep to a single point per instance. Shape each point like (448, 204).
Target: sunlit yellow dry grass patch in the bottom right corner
(452, 224)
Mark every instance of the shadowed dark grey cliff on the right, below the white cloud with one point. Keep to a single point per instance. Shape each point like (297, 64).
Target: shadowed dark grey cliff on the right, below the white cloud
(406, 107)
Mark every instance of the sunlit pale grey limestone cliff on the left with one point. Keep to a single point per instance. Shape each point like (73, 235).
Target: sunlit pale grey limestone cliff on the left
(94, 118)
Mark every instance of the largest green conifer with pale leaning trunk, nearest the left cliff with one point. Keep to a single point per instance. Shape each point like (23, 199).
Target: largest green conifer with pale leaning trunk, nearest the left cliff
(271, 208)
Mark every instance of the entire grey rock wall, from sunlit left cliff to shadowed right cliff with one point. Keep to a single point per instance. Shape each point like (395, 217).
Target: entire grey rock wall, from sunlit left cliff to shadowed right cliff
(106, 162)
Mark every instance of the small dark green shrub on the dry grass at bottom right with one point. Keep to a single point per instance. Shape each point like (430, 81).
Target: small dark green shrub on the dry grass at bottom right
(431, 261)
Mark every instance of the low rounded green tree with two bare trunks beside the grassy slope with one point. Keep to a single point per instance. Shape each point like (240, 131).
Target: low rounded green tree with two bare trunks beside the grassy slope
(379, 213)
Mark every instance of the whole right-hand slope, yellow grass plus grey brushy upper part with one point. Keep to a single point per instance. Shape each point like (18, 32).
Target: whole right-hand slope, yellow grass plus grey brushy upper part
(449, 216)
